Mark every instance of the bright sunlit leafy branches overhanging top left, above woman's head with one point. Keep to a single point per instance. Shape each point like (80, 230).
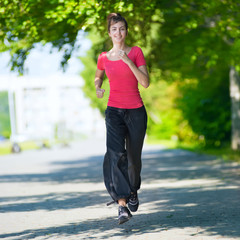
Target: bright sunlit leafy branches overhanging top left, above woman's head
(24, 23)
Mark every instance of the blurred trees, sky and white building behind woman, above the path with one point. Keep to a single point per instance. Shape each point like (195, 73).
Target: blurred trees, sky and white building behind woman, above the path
(191, 48)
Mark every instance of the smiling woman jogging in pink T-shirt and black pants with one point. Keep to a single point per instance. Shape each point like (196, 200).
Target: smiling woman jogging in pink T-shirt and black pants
(126, 118)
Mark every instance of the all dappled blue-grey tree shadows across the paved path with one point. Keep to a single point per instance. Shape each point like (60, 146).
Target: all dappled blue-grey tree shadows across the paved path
(214, 209)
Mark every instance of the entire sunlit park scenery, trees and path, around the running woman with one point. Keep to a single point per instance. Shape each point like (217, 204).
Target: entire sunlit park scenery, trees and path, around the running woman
(52, 129)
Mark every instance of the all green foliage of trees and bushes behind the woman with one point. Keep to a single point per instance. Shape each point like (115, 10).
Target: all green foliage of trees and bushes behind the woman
(189, 47)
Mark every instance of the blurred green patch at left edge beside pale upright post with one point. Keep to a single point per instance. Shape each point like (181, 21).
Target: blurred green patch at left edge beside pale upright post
(4, 115)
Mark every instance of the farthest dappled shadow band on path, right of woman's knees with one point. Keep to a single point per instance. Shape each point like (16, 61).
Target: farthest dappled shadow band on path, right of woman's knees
(180, 164)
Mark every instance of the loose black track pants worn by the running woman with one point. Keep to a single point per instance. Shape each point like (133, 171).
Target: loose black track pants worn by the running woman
(122, 164)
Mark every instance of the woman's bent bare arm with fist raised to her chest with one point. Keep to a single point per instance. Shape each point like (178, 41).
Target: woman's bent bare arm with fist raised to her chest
(141, 72)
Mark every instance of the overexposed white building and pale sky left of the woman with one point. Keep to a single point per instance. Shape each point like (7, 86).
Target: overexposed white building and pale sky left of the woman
(46, 106)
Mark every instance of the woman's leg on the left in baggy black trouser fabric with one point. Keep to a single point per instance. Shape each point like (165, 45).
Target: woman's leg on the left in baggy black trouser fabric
(115, 166)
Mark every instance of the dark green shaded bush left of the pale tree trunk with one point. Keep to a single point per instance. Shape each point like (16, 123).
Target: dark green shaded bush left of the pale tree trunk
(207, 108)
